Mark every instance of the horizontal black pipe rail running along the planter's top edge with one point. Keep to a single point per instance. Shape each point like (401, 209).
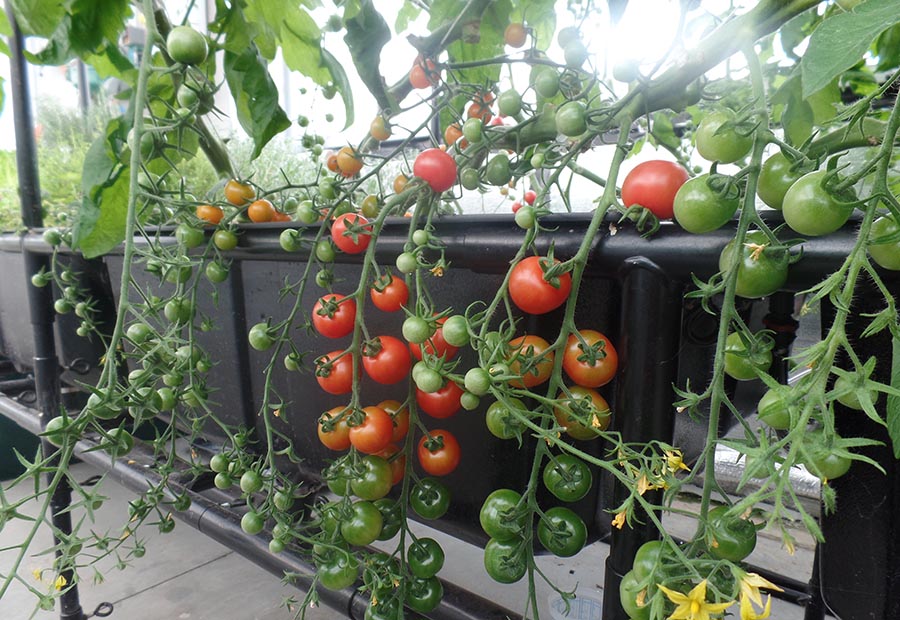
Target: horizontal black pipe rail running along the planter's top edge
(486, 243)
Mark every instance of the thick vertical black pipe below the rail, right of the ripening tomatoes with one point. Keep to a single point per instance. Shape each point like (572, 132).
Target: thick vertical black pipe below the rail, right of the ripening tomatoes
(648, 369)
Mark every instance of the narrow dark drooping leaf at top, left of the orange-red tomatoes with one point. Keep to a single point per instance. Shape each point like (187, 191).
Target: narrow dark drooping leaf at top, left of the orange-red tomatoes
(367, 34)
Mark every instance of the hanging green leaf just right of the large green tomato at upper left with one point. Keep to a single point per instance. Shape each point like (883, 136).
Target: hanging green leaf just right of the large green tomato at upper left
(255, 96)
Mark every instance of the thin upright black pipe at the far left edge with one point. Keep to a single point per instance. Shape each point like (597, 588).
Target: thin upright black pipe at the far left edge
(40, 300)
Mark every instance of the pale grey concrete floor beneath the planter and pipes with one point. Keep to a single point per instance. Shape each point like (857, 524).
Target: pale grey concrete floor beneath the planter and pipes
(186, 576)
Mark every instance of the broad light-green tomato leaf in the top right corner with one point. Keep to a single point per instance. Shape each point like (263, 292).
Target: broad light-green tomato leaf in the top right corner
(842, 39)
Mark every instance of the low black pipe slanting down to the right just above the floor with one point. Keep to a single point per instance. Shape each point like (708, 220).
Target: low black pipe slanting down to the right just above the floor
(223, 525)
